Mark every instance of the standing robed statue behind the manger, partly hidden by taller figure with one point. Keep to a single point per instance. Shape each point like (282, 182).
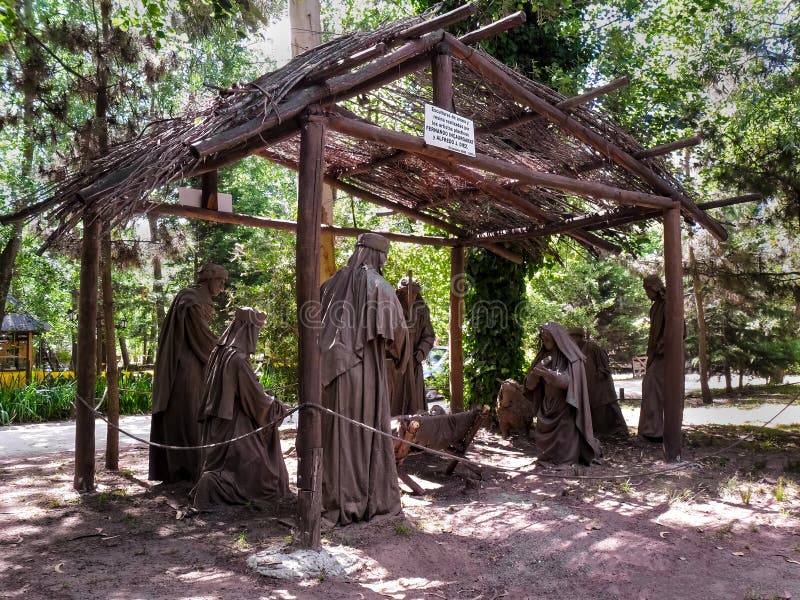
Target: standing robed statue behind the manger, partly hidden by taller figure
(407, 388)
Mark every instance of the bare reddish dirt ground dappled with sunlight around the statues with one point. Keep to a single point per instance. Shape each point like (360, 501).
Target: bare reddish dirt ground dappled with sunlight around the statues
(727, 529)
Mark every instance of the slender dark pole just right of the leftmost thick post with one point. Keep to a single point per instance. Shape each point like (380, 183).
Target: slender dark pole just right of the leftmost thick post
(112, 372)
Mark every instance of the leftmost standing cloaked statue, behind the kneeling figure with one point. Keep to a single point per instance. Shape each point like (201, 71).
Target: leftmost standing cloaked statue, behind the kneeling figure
(184, 344)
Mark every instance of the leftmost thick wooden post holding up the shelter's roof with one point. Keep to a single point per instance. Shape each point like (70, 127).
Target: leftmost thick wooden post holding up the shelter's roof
(86, 356)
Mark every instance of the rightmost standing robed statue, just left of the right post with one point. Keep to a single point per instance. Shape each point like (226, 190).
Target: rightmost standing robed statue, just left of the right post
(651, 416)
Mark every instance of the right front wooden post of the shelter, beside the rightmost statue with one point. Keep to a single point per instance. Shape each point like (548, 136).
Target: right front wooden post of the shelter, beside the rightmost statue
(673, 335)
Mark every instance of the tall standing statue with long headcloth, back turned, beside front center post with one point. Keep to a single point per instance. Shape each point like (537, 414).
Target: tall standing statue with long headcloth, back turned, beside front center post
(362, 325)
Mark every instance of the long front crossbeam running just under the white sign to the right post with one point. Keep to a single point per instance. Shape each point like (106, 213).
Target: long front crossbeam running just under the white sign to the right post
(417, 145)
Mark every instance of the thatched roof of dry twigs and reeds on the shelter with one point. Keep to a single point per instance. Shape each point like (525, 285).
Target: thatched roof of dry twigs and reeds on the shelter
(383, 77)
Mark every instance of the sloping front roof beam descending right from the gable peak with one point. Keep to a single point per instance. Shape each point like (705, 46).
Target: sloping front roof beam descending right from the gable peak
(489, 70)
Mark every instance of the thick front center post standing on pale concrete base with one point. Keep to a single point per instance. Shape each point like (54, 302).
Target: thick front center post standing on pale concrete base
(309, 430)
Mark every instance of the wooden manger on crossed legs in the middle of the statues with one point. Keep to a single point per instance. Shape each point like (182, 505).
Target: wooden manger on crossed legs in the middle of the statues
(450, 433)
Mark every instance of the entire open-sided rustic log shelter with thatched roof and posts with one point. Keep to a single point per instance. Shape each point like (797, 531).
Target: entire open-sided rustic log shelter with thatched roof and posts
(349, 113)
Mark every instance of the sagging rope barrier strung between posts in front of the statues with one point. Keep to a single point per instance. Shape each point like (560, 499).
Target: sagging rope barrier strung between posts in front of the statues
(649, 473)
